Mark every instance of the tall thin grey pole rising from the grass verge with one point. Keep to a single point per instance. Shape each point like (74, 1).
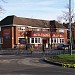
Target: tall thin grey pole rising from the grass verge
(70, 27)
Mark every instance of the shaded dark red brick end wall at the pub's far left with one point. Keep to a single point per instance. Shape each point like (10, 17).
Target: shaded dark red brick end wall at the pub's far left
(7, 37)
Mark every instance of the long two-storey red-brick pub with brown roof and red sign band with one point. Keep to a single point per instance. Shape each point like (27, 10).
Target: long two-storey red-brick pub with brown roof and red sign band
(18, 32)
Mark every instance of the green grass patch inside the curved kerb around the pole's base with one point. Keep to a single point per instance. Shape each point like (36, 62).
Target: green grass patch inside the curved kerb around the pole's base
(63, 58)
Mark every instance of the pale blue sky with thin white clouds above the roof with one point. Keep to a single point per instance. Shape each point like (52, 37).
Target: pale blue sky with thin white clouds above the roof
(38, 9)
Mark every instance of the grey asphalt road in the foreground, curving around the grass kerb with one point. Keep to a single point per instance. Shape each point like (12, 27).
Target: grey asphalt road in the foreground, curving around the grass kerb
(21, 65)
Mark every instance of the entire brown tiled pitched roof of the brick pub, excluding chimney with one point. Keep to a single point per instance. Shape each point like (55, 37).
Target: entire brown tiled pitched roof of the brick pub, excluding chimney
(10, 20)
